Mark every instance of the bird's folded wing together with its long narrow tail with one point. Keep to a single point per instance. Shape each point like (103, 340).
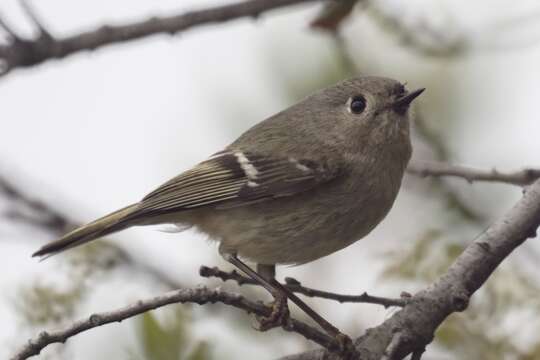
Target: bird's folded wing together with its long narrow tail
(228, 179)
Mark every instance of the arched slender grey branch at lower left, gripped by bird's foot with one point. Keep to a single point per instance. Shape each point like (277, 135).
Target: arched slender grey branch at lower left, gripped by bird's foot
(199, 296)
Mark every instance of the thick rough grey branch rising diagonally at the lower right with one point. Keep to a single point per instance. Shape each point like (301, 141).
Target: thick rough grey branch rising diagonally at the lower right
(410, 329)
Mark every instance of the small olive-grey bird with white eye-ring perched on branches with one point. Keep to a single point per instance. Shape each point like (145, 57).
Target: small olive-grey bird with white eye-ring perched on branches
(298, 186)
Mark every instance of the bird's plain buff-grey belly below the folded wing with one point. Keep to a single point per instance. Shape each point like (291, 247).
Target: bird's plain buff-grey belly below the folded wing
(282, 232)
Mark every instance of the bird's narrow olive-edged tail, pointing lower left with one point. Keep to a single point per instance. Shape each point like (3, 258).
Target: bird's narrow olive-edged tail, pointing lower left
(108, 224)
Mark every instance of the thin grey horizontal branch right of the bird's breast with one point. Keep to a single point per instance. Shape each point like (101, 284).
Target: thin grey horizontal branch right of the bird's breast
(437, 169)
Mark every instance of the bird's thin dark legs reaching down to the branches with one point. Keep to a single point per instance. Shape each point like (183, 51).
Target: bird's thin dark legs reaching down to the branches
(281, 293)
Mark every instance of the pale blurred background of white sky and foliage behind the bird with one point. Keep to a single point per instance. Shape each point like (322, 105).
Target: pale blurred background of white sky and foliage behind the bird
(83, 136)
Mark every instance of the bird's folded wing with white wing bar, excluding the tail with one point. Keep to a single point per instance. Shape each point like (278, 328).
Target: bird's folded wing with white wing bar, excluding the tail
(237, 178)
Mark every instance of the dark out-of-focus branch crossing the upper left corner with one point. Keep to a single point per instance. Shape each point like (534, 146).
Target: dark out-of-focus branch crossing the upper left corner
(24, 53)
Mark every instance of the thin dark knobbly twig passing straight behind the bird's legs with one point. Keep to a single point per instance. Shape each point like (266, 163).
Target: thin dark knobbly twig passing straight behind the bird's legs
(295, 286)
